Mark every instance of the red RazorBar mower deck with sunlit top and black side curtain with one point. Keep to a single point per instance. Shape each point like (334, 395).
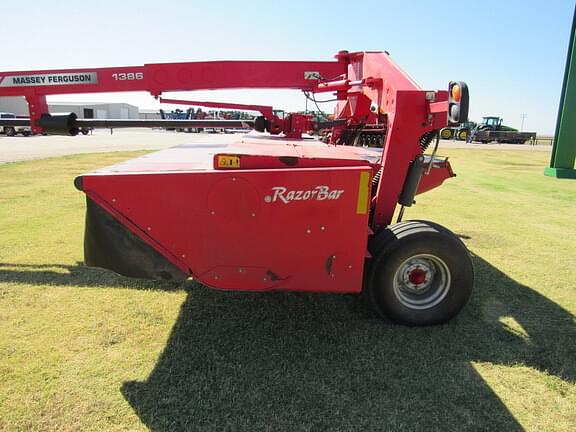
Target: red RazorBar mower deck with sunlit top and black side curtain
(280, 214)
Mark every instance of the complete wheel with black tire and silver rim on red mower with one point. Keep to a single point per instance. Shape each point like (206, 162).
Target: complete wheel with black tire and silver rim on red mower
(421, 273)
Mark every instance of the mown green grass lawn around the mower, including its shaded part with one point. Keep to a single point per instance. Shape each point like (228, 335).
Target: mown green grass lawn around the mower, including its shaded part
(84, 349)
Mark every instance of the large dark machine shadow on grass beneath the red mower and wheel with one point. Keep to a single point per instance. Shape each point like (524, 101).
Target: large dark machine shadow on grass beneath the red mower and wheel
(293, 361)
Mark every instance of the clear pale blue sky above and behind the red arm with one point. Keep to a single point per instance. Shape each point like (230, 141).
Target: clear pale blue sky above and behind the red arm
(512, 53)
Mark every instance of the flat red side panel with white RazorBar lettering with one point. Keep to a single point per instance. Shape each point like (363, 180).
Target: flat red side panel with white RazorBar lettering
(293, 229)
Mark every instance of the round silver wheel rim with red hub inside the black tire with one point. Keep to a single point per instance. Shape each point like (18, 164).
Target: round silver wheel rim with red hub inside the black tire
(422, 281)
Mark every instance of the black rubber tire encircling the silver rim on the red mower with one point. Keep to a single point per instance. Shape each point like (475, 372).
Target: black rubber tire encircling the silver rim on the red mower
(400, 243)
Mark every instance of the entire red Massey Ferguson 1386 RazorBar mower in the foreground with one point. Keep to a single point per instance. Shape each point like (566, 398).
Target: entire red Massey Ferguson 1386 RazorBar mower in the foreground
(276, 210)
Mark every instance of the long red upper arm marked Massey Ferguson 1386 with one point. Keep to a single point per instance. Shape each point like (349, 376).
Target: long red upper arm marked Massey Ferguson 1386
(163, 77)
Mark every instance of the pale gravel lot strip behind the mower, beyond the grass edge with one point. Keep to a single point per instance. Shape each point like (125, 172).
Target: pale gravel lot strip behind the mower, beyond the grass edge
(13, 149)
